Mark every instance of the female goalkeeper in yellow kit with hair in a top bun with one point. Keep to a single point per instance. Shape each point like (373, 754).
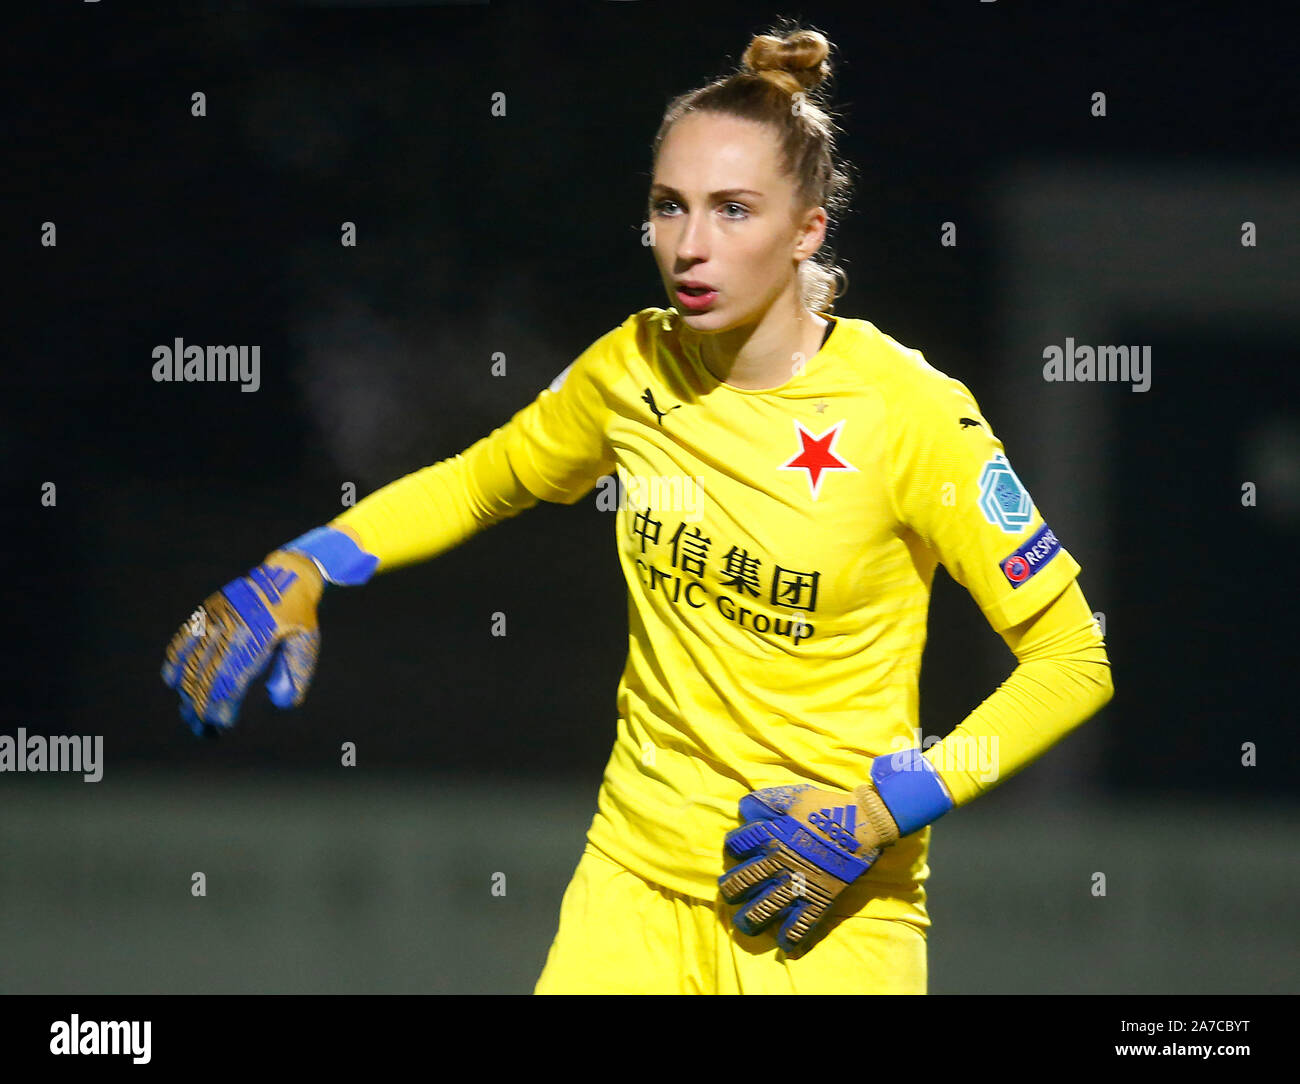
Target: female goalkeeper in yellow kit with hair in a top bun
(788, 483)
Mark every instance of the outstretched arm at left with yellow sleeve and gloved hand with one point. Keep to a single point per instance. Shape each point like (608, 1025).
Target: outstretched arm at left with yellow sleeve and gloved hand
(554, 449)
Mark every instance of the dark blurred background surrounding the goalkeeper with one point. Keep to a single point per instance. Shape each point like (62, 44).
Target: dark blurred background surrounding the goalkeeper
(522, 235)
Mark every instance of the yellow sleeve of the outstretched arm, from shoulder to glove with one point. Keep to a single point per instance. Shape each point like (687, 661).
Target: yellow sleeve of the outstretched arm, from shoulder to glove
(554, 449)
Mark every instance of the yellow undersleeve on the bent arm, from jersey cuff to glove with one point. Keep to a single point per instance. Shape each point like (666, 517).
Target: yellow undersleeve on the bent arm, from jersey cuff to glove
(1063, 680)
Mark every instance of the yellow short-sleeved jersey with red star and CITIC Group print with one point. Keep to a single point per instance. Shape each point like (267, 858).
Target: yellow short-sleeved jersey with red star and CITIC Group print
(779, 549)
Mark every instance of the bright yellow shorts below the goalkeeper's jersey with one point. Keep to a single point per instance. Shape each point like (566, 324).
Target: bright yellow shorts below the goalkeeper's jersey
(622, 934)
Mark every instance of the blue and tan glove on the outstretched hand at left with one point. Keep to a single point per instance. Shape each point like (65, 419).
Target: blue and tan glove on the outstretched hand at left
(267, 617)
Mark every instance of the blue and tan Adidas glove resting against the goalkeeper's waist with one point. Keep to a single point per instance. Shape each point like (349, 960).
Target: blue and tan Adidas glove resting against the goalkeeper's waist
(803, 847)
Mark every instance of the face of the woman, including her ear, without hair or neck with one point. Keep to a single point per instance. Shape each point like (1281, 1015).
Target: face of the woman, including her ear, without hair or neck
(725, 215)
